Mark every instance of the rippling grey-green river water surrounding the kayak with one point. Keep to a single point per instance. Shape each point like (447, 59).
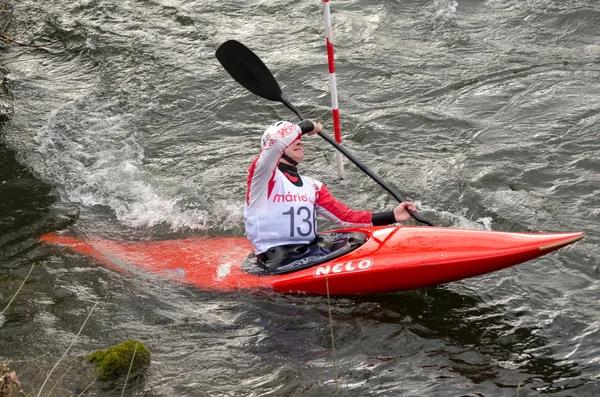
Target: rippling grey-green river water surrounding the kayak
(484, 112)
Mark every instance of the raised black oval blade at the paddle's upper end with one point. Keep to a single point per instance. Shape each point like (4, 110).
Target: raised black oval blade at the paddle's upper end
(248, 70)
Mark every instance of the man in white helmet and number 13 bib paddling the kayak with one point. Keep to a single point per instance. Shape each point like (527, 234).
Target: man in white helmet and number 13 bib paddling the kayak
(281, 205)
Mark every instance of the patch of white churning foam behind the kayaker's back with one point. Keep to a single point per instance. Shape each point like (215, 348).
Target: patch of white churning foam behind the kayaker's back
(95, 156)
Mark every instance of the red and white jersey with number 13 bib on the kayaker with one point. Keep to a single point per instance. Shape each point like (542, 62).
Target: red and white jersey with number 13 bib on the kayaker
(277, 211)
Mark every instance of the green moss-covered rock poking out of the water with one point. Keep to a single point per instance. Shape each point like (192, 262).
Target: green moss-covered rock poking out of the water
(114, 362)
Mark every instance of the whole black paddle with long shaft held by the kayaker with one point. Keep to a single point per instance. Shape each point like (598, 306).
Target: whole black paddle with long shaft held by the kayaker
(248, 70)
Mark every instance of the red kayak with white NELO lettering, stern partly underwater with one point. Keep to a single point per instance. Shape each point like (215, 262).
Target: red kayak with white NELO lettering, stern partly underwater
(393, 258)
